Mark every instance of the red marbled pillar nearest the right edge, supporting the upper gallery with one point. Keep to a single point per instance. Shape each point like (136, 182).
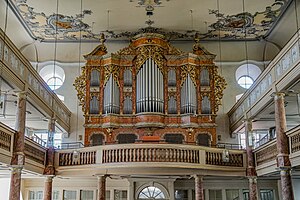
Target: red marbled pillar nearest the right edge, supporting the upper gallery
(283, 160)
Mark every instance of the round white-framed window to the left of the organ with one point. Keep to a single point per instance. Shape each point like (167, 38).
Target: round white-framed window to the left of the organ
(54, 76)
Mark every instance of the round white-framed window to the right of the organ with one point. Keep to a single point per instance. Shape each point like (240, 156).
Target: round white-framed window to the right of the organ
(246, 74)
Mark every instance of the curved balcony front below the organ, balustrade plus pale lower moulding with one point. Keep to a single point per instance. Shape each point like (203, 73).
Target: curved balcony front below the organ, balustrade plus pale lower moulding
(143, 158)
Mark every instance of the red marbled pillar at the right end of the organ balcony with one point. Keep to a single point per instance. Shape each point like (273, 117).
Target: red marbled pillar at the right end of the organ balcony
(251, 172)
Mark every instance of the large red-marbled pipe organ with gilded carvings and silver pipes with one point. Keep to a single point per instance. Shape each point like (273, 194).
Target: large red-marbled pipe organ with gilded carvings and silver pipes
(150, 91)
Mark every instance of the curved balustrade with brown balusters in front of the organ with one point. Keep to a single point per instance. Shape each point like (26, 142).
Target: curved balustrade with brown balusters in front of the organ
(195, 156)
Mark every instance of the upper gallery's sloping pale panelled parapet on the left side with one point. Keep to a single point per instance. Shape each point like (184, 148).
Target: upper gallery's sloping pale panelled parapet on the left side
(17, 69)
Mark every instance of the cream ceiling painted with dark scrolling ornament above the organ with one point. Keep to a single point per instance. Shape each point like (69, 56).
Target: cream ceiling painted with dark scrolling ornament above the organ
(81, 20)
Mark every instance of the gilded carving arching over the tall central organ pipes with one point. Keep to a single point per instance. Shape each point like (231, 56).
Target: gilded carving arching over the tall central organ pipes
(151, 51)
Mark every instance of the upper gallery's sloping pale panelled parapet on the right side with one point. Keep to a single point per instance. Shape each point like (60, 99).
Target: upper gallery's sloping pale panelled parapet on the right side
(282, 71)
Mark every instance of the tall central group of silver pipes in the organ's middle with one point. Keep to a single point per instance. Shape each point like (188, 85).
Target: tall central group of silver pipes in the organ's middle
(149, 88)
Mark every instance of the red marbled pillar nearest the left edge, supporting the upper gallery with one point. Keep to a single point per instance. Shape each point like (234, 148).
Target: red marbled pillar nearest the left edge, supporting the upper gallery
(18, 158)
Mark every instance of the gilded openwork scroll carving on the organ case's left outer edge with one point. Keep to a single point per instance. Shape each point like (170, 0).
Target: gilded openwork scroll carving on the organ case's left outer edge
(80, 86)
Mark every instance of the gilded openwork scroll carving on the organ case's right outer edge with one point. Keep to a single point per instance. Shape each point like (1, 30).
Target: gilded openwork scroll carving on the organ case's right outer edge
(220, 85)
